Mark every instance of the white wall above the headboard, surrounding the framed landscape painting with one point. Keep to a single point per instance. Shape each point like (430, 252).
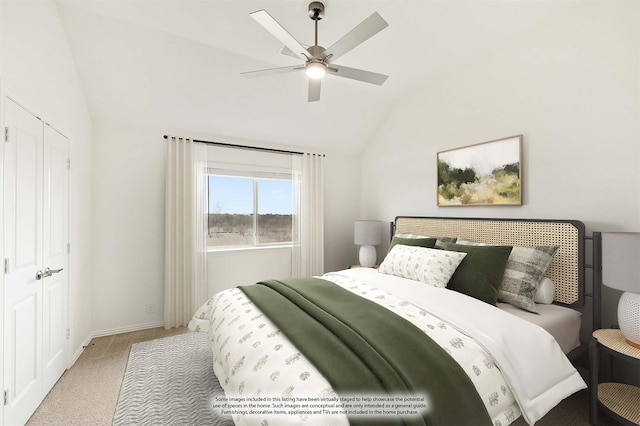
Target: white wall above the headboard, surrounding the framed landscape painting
(570, 86)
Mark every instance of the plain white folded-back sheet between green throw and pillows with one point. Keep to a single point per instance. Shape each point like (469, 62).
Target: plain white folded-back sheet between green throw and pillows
(538, 371)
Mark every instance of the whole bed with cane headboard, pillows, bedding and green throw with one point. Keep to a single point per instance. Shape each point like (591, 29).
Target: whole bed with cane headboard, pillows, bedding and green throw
(463, 360)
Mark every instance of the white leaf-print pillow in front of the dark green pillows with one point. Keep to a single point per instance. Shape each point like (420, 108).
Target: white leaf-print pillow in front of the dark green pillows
(430, 266)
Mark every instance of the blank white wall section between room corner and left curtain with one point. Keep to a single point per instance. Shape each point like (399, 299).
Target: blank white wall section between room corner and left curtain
(128, 238)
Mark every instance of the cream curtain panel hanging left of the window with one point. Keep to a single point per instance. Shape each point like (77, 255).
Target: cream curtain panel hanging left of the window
(185, 248)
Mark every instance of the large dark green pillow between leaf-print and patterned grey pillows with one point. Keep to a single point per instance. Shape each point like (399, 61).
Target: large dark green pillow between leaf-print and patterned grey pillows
(480, 273)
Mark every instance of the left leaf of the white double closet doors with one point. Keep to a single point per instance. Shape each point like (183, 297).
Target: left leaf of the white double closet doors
(23, 222)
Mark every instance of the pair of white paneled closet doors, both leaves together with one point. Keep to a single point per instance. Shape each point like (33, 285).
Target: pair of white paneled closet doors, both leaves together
(35, 306)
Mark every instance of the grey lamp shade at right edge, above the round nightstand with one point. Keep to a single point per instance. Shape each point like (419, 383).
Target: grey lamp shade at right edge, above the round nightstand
(621, 260)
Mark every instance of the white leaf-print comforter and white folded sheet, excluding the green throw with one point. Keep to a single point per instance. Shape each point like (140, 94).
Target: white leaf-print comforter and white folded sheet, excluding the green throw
(239, 331)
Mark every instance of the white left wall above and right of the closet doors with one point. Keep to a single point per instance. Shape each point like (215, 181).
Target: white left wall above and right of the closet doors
(38, 69)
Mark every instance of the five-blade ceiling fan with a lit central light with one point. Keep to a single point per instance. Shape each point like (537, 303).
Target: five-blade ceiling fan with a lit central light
(318, 61)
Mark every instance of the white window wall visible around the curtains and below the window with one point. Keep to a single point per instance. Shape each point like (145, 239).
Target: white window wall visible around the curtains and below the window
(128, 212)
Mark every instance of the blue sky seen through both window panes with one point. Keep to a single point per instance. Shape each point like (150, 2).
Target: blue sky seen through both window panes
(235, 195)
